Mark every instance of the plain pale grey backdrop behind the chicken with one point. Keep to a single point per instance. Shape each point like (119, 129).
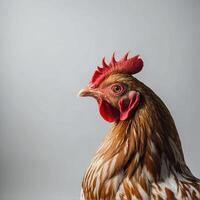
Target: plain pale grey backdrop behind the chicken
(49, 50)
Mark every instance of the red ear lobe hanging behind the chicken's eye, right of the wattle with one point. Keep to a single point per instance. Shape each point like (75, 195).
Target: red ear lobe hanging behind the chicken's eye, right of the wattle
(128, 104)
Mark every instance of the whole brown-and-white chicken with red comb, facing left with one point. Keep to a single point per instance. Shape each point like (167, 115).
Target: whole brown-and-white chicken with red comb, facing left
(141, 156)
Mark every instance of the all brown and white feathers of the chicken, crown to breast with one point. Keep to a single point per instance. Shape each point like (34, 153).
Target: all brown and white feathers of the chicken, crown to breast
(141, 157)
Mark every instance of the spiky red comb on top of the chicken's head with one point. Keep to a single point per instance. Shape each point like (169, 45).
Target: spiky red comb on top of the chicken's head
(130, 66)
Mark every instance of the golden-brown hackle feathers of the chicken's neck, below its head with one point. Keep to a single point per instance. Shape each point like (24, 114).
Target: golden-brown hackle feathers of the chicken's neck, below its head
(137, 149)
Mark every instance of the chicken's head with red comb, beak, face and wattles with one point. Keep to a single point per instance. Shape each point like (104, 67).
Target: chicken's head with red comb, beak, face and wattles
(113, 87)
